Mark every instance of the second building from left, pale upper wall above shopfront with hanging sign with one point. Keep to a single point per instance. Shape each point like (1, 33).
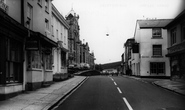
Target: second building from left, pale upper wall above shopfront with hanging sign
(39, 44)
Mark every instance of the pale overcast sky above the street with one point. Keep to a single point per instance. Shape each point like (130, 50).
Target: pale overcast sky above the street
(116, 18)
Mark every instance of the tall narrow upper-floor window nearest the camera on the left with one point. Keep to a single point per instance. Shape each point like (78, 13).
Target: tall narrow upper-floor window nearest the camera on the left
(29, 17)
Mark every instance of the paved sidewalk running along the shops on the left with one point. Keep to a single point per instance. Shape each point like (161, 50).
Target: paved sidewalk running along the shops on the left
(43, 98)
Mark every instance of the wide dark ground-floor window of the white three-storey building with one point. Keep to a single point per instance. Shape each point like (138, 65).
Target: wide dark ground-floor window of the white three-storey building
(157, 68)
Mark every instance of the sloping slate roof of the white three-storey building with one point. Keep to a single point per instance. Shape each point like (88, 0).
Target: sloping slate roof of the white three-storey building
(153, 23)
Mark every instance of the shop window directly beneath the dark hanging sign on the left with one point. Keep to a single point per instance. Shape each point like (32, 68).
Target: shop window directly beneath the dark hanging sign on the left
(34, 60)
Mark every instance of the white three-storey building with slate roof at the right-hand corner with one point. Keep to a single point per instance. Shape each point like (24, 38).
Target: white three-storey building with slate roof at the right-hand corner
(150, 47)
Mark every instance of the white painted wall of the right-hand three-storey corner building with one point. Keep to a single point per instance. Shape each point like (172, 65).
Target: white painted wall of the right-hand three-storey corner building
(142, 60)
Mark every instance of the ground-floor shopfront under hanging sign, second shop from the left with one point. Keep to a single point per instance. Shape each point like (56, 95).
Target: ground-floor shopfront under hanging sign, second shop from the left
(39, 61)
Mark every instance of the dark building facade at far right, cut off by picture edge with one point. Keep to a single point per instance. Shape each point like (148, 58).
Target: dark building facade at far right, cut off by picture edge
(176, 46)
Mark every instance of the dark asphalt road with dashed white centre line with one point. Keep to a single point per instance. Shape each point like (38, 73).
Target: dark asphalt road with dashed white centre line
(120, 93)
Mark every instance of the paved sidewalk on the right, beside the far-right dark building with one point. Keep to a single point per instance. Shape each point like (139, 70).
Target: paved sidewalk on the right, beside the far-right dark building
(176, 86)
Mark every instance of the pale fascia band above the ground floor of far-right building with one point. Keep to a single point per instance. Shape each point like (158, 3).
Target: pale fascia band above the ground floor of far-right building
(176, 48)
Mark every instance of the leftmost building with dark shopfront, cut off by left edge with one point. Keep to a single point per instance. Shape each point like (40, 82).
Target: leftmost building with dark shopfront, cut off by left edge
(12, 42)
